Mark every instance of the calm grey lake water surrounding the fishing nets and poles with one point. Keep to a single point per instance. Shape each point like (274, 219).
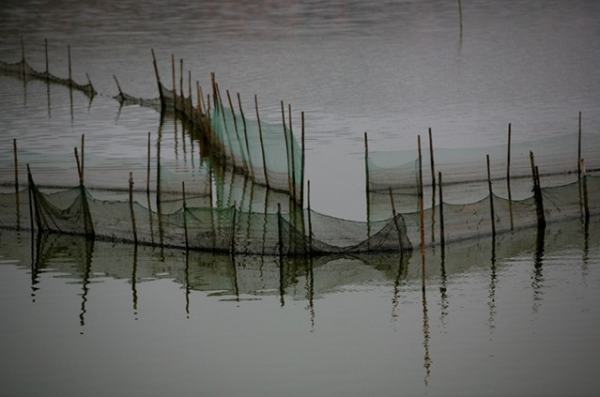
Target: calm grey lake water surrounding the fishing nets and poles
(85, 320)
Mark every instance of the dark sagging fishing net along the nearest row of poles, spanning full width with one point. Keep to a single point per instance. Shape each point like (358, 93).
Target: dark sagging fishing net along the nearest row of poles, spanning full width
(77, 211)
